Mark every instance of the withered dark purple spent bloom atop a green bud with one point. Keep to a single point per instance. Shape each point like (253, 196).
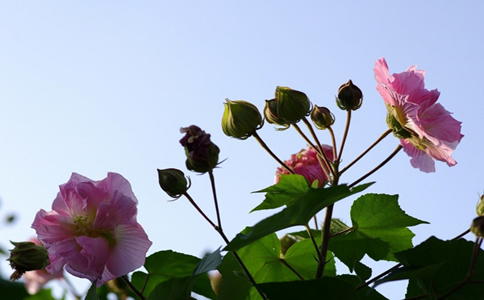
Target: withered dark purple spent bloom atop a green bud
(202, 154)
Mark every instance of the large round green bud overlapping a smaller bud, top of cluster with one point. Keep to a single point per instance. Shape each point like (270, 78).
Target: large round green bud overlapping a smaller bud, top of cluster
(292, 105)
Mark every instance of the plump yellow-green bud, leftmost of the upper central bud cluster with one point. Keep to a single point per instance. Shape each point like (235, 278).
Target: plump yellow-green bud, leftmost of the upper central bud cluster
(241, 119)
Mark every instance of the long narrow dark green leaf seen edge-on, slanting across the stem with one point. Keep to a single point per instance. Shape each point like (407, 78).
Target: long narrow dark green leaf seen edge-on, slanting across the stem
(299, 213)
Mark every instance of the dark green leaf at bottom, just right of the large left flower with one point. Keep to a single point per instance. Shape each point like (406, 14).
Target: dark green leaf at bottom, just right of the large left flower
(172, 274)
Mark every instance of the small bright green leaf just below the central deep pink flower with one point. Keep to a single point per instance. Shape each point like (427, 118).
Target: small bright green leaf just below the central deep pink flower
(285, 192)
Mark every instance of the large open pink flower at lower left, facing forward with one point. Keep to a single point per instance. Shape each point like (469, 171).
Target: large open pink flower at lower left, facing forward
(92, 229)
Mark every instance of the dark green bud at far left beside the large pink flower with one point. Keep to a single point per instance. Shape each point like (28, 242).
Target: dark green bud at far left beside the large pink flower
(27, 256)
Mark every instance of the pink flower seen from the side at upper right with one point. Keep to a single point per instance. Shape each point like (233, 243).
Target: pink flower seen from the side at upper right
(426, 130)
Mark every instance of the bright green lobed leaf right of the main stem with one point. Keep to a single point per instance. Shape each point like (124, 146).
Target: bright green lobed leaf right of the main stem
(379, 230)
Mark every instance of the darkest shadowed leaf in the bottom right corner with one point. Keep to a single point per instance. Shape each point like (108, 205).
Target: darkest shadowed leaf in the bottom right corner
(443, 265)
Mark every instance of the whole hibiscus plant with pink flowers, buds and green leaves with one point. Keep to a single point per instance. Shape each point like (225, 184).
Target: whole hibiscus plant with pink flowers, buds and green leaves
(92, 231)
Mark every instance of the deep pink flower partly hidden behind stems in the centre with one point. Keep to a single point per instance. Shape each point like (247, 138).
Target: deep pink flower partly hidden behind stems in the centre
(306, 163)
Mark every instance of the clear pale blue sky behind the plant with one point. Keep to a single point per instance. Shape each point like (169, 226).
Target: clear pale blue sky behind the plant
(104, 86)
